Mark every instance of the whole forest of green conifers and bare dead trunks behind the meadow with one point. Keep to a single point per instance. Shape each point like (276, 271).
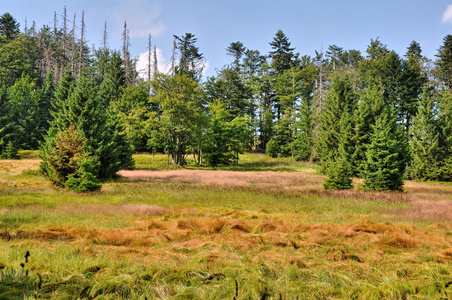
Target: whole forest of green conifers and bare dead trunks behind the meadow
(379, 115)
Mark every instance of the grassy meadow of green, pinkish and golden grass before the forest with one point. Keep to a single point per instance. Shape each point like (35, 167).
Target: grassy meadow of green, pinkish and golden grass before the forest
(263, 229)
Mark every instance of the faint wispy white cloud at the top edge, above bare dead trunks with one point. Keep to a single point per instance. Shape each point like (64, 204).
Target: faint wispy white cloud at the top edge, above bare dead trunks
(140, 16)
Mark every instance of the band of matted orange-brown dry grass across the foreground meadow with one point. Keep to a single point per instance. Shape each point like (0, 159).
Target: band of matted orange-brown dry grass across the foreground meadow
(268, 237)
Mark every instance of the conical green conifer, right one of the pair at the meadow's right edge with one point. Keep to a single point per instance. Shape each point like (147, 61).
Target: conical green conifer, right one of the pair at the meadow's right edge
(386, 154)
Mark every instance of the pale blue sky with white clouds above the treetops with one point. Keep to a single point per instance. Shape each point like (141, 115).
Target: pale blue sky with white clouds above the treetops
(310, 25)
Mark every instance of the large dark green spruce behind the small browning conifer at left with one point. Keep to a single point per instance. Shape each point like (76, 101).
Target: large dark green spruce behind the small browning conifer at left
(105, 148)
